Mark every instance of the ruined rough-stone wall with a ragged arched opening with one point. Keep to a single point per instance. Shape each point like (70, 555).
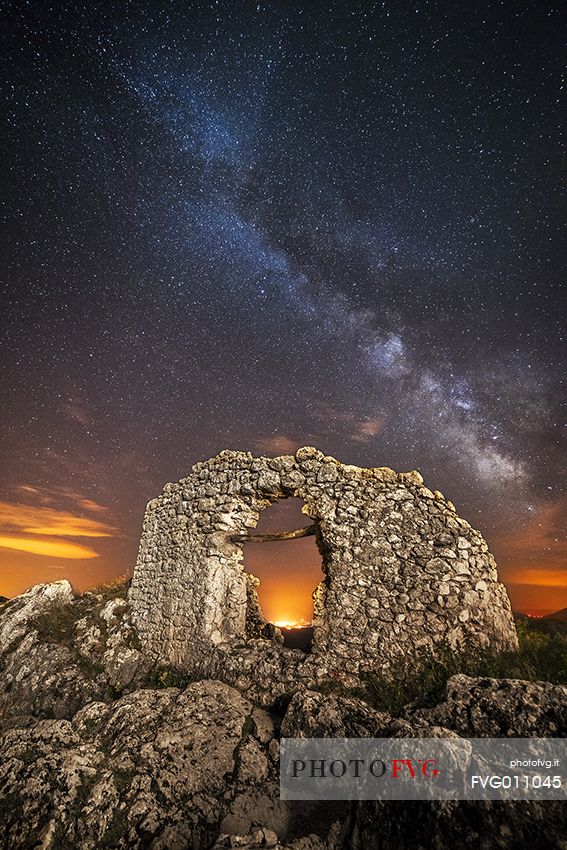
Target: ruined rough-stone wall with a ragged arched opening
(403, 574)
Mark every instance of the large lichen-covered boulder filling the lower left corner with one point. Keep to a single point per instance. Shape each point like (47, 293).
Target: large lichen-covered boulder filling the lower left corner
(155, 768)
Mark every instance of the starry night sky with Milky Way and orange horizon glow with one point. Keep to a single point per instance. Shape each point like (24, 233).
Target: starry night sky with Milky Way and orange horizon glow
(260, 225)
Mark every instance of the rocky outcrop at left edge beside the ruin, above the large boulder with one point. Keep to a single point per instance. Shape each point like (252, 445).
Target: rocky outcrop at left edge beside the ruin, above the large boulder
(60, 651)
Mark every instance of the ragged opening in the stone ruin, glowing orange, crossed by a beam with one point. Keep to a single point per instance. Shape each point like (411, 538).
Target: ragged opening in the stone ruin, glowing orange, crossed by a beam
(288, 571)
